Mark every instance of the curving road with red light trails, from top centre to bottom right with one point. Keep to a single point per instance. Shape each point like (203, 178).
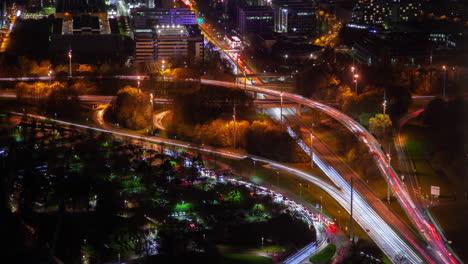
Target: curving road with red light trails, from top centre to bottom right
(441, 253)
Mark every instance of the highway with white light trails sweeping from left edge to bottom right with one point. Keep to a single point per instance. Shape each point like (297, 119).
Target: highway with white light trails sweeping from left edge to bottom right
(384, 236)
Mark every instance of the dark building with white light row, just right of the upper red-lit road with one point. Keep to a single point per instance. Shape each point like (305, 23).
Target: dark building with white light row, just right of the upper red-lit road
(256, 19)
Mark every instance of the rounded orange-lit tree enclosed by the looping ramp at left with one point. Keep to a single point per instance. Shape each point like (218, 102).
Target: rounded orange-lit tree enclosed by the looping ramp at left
(132, 108)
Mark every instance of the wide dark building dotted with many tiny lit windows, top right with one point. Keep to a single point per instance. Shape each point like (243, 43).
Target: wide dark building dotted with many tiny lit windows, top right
(380, 11)
